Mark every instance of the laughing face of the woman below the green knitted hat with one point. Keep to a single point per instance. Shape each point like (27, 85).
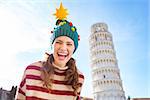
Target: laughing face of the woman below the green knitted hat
(63, 50)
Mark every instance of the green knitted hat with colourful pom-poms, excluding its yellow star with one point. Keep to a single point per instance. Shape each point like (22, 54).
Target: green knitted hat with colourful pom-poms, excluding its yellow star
(65, 28)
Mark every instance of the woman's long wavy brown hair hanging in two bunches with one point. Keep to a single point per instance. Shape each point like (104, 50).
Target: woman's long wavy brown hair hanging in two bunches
(71, 77)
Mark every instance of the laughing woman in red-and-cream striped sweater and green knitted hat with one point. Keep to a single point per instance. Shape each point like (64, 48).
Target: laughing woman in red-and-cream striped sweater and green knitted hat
(57, 78)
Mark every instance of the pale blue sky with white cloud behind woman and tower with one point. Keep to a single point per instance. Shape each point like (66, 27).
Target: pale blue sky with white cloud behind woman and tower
(25, 27)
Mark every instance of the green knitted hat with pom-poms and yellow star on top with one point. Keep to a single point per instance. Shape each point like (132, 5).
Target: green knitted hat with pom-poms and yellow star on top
(64, 28)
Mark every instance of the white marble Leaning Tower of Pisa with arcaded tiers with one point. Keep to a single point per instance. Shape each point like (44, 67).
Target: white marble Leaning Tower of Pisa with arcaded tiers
(107, 83)
